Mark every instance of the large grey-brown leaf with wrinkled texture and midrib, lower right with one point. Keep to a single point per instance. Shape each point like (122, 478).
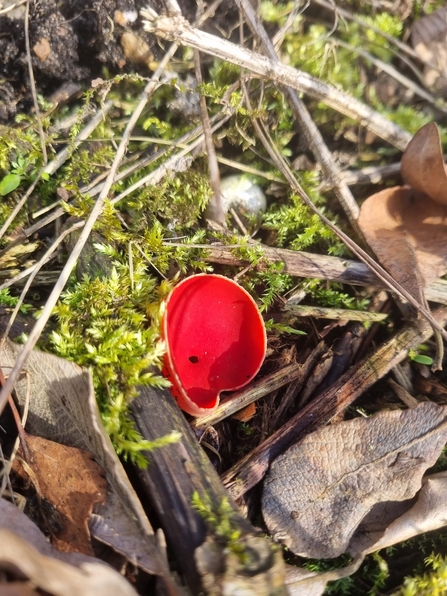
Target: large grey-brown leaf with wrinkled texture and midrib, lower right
(318, 492)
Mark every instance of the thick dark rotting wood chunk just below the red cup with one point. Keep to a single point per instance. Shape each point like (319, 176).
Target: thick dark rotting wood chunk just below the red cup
(174, 473)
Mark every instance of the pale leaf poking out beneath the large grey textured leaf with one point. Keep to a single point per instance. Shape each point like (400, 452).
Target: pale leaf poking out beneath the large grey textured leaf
(397, 522)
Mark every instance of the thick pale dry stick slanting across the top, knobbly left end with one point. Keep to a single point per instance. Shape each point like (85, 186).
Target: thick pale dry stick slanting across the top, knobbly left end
(179, 30)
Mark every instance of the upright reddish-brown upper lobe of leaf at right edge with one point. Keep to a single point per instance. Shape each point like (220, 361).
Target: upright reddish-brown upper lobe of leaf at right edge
(422, 165)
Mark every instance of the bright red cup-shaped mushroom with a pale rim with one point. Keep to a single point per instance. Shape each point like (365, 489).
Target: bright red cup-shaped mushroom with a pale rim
(215, 338)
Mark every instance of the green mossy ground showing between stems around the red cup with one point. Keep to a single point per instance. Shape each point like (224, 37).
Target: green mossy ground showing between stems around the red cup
(108, 317)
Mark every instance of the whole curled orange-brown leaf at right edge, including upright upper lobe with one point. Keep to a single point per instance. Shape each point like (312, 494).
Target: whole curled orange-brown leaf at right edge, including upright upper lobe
(407, 227)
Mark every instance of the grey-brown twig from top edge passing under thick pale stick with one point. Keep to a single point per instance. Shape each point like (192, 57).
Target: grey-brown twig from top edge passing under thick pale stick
(301, 114)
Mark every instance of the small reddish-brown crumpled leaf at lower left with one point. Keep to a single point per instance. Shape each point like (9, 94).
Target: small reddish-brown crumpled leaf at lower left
(70, 480)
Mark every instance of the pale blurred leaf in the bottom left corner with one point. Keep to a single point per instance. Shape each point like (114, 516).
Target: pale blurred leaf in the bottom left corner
(57, 578)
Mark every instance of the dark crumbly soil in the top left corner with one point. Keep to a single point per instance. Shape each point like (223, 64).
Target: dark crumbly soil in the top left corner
(73, 42)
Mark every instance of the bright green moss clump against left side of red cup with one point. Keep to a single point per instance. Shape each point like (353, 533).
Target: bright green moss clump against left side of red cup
(111, 326)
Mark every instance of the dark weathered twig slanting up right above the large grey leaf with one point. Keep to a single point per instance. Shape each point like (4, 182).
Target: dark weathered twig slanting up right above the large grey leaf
(334, 400)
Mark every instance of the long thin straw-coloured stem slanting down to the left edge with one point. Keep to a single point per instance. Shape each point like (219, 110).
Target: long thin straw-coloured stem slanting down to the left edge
(83, 237)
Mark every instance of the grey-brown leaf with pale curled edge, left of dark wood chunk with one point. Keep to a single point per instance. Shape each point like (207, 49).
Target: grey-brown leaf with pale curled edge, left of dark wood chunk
(63, 409)
